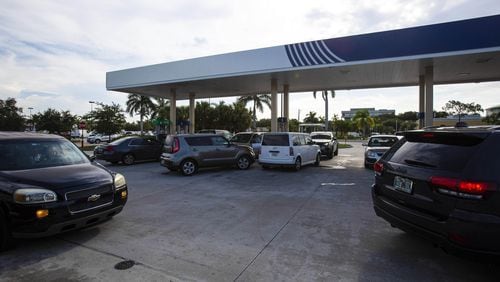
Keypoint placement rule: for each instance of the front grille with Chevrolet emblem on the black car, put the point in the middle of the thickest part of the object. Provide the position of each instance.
(87, 199)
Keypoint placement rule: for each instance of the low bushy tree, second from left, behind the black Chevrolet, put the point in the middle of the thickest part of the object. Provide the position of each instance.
(54, 121)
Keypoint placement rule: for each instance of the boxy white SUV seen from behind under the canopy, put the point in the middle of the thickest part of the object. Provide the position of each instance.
(288, 149)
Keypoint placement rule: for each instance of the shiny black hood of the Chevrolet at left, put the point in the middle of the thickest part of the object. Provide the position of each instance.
(58, 177)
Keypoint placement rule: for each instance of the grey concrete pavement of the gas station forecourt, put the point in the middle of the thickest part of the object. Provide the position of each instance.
(223, 224)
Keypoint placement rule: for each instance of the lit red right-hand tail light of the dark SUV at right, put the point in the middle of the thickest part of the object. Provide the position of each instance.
(461, 188)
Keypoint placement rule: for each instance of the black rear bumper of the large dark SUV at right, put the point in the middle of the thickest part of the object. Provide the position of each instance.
(462, 231)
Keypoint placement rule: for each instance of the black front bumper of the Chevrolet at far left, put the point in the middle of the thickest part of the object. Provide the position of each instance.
(24, 223)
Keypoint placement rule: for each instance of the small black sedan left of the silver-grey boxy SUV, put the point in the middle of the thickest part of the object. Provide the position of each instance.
(129, 149)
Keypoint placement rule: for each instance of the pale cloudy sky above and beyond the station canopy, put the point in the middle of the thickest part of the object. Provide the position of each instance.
(55, 54)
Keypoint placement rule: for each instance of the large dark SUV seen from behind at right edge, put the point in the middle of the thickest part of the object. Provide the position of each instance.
(443, 184)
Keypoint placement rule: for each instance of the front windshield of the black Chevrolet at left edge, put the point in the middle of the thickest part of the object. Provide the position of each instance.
(19, 155)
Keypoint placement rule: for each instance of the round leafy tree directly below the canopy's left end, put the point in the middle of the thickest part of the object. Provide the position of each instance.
(109, 119)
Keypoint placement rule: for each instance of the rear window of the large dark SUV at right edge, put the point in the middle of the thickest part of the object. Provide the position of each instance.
(441, 151)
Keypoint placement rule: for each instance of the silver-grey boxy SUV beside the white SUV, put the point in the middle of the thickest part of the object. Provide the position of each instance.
(188, 152)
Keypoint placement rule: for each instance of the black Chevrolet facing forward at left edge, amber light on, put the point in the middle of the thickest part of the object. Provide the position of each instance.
(49, 186)
